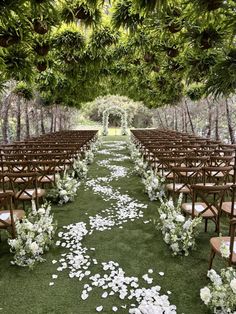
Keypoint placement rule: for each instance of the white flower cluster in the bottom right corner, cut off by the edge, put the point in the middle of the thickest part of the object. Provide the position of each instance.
(220, 294)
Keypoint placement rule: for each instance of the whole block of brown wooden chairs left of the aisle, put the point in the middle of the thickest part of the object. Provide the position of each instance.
(26, 168)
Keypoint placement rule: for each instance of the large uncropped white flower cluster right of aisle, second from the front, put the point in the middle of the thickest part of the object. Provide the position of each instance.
(178, 232)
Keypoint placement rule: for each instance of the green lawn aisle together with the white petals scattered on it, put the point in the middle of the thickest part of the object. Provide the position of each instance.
(108, 256)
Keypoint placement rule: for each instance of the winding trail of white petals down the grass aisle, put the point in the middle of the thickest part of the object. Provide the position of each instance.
(80, 259)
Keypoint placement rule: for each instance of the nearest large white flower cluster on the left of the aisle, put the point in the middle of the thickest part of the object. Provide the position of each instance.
(34, 236)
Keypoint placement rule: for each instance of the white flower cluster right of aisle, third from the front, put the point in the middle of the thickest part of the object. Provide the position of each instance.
(154, 185)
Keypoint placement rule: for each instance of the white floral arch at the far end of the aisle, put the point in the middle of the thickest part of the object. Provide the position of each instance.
(116, 111)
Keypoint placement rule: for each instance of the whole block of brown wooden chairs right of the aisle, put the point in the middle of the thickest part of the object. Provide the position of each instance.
(201, 169)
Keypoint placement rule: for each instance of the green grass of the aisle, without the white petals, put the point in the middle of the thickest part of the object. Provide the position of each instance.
(137, 247)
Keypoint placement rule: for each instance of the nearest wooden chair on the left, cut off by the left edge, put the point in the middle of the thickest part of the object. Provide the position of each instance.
(8, 214)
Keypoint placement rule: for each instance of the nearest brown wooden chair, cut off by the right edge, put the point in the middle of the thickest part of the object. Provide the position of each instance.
(229, 241)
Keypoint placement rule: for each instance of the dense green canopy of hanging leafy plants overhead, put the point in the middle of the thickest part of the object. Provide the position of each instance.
(155, 51)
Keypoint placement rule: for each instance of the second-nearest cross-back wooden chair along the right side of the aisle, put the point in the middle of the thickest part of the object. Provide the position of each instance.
(207, 203)
